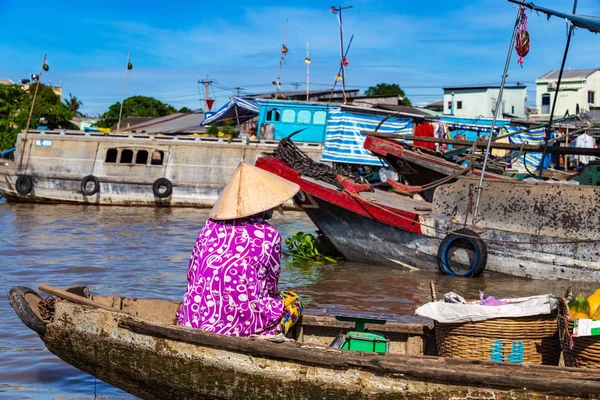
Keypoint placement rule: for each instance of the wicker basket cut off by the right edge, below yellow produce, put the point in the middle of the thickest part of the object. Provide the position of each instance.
(582, 352)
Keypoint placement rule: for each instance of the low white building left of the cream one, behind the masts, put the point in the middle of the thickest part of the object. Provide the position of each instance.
(479, 101)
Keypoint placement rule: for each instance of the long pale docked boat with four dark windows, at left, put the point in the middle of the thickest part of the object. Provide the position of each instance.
(126, 169)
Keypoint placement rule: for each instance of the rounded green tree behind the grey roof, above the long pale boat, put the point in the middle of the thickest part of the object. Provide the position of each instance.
(136, 106)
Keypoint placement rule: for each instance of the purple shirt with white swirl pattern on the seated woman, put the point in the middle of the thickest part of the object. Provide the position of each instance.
(232, 279)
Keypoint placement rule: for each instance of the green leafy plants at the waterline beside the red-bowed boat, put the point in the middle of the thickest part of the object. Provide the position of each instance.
(306, 247)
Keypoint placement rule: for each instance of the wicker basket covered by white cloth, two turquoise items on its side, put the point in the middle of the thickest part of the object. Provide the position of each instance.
(528, 340)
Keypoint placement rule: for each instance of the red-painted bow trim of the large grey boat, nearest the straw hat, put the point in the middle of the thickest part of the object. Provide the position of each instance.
(404, 220)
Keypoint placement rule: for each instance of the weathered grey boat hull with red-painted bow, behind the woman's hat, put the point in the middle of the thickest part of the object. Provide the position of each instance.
(536, 230)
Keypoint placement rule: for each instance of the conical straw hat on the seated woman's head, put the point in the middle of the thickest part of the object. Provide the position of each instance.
(250, 191)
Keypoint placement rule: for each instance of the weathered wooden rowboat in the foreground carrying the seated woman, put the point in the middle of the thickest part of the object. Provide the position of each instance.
(135, 345)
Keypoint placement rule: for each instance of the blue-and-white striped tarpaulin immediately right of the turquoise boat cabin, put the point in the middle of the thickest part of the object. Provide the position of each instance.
(345, 143)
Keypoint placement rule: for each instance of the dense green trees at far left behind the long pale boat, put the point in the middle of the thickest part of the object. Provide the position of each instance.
(15, 104)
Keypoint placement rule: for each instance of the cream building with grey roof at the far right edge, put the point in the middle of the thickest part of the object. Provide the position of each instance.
(579, 91)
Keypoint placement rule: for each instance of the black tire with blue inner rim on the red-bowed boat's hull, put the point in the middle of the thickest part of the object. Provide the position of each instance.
(474, 242)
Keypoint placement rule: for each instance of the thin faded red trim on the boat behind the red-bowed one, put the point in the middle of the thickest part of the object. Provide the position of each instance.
(383, 147)
